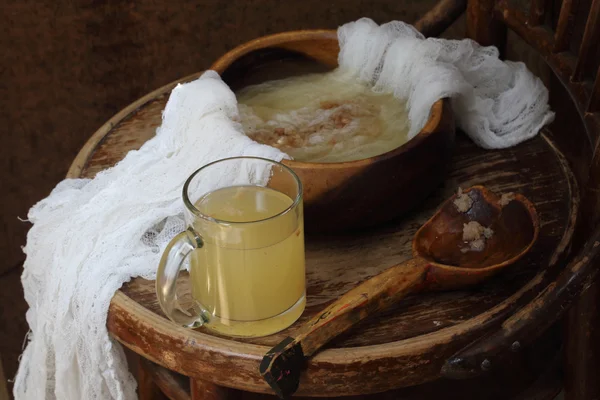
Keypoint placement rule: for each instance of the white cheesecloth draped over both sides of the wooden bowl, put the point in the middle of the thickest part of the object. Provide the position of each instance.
(91, 236)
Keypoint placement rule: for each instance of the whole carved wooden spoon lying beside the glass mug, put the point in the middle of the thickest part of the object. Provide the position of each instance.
(441, 261)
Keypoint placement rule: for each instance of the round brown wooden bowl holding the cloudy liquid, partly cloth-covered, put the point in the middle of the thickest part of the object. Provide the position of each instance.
(346, 195)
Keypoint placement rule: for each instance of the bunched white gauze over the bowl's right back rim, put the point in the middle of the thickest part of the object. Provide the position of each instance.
(497, 103)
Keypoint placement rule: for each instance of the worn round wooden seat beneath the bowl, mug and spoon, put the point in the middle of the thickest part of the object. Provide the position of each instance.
(412, 339)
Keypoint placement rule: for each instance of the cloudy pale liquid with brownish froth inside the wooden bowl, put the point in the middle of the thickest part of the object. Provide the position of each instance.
(324, 117)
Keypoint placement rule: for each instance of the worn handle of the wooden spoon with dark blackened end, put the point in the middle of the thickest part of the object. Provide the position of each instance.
(281, 365)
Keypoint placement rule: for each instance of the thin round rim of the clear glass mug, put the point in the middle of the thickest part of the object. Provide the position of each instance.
(190, 205)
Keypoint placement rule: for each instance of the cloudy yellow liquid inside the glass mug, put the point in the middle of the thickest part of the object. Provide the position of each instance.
(249, 277)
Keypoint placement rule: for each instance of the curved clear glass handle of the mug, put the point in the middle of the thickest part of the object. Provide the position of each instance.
(171, 262)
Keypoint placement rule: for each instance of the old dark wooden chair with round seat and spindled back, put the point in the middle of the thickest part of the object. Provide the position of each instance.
(428, 336)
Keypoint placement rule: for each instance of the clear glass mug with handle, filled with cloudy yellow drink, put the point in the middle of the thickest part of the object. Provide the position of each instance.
(245, 247)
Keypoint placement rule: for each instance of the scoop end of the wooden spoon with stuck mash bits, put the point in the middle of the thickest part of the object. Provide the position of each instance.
(512, 219)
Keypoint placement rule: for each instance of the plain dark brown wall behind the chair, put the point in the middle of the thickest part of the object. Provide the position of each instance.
(66, 66)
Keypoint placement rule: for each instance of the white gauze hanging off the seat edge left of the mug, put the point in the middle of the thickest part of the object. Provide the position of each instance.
(89, 236)
